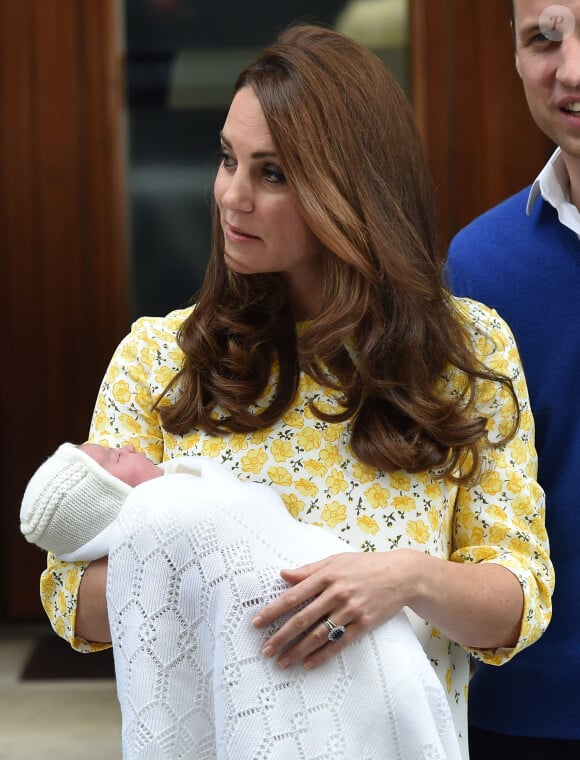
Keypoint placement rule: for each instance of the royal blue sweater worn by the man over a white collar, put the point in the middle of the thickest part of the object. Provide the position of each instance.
(528, 269)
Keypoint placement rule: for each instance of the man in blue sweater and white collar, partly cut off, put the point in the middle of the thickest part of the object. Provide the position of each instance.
(523, 258)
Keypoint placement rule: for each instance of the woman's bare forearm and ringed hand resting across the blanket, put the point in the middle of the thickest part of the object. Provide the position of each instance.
(477, 605)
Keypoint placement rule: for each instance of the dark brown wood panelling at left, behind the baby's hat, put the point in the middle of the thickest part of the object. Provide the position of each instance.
(63, 282)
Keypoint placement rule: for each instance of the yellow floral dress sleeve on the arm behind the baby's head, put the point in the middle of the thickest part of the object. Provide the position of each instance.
(144, 362)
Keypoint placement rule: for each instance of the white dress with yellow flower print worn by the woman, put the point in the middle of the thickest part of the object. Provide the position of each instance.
(310, 463)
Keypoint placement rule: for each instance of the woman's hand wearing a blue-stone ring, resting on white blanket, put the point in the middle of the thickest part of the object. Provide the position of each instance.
(356, 590)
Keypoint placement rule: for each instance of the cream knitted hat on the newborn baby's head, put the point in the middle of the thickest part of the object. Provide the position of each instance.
(69, 500)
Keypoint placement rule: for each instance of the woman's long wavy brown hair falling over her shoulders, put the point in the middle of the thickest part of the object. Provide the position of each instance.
(351, 153)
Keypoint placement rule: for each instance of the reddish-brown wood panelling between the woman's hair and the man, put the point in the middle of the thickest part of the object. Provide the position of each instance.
(481, 141)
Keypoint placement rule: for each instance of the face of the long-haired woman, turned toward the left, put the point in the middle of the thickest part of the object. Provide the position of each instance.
(261, 221)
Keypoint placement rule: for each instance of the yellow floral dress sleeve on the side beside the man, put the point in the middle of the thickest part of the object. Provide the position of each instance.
(501, 519)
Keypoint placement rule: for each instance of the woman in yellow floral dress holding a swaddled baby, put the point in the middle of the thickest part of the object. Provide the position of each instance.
(325, 357)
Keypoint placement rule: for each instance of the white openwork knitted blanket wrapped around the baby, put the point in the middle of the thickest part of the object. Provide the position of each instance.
(193, 561)
